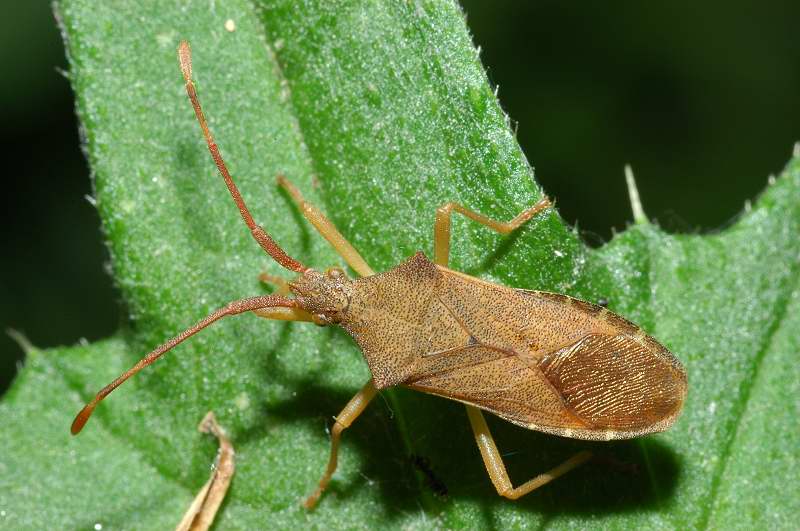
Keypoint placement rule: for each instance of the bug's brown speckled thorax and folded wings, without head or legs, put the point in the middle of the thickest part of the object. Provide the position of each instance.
(541, 360)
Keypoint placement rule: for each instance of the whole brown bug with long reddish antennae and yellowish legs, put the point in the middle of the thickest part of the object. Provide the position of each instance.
(543, 361)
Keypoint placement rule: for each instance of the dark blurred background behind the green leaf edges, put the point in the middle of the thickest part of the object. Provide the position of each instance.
(702, 99)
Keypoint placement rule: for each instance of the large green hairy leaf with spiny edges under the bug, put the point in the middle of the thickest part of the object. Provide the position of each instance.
(379, 113)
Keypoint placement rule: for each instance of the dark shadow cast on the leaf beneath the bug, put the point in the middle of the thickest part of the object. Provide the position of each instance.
(623, 476)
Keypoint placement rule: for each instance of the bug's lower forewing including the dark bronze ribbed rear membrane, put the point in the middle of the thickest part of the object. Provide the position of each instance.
(599, 387)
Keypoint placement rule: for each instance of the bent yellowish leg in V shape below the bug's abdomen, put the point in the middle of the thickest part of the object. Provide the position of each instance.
(497, 469)
